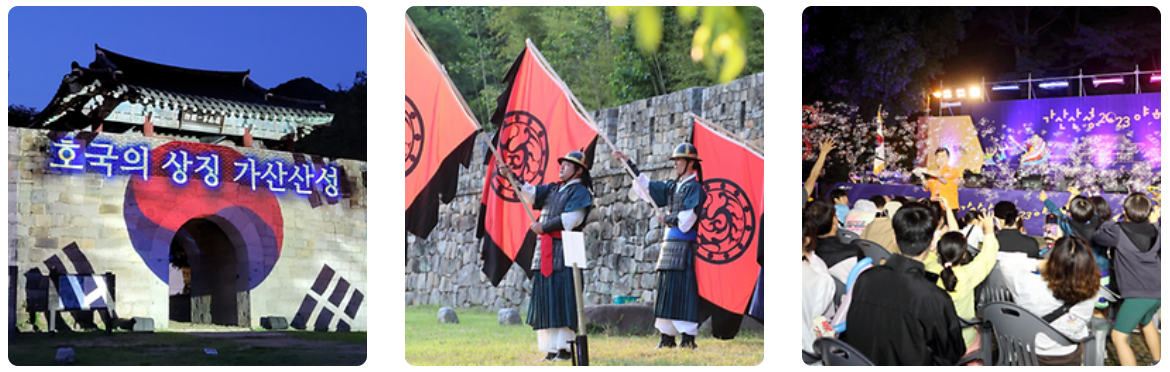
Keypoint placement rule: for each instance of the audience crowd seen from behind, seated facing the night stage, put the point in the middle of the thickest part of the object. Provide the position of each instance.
(919, 307)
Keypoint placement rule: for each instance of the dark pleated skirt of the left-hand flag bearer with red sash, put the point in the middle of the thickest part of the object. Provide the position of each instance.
(554, 302)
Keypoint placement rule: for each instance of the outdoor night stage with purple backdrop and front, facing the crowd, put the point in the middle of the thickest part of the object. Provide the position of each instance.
(1093, 142)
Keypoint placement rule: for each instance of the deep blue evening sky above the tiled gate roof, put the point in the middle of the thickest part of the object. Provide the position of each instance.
(277, 44)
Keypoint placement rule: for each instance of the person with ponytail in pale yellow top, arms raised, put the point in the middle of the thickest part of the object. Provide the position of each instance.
(960, 273)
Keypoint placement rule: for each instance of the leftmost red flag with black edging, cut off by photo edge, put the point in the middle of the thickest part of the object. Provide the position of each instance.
(441, 134)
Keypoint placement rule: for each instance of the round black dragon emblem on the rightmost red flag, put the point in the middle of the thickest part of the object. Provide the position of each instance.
(728, 225)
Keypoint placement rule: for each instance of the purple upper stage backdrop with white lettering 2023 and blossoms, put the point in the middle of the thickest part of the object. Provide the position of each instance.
(1106, 133)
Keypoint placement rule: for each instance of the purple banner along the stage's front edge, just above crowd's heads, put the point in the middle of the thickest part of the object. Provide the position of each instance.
(983, 199)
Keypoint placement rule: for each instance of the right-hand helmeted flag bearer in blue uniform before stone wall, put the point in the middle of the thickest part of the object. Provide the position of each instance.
(677, 308)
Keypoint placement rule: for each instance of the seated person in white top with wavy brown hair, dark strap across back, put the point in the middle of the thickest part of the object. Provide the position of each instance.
(1061, 290)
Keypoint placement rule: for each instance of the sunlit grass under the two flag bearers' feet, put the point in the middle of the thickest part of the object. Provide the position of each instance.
(479, 340)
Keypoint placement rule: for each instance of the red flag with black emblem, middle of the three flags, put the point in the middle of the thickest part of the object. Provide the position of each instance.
(540, 121)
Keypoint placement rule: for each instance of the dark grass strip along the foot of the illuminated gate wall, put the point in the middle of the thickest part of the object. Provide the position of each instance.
(188, 349)
